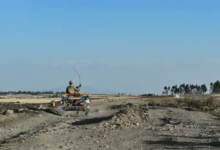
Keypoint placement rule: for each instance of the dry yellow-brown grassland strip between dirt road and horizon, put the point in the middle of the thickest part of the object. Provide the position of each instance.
(206, 103)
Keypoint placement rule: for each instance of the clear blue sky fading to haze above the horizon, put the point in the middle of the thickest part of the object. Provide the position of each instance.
(132, 46)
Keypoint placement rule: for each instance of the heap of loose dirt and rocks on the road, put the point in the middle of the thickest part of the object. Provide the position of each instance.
(129, 115)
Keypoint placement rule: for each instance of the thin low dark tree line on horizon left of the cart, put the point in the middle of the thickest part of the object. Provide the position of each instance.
(29, 92)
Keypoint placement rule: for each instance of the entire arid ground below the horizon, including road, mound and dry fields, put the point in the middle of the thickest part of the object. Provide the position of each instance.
(114, 123)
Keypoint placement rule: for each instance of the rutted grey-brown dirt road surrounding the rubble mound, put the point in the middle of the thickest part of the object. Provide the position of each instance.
(167, 128)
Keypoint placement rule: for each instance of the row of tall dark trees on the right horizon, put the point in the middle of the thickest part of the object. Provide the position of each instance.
(186, 89)
